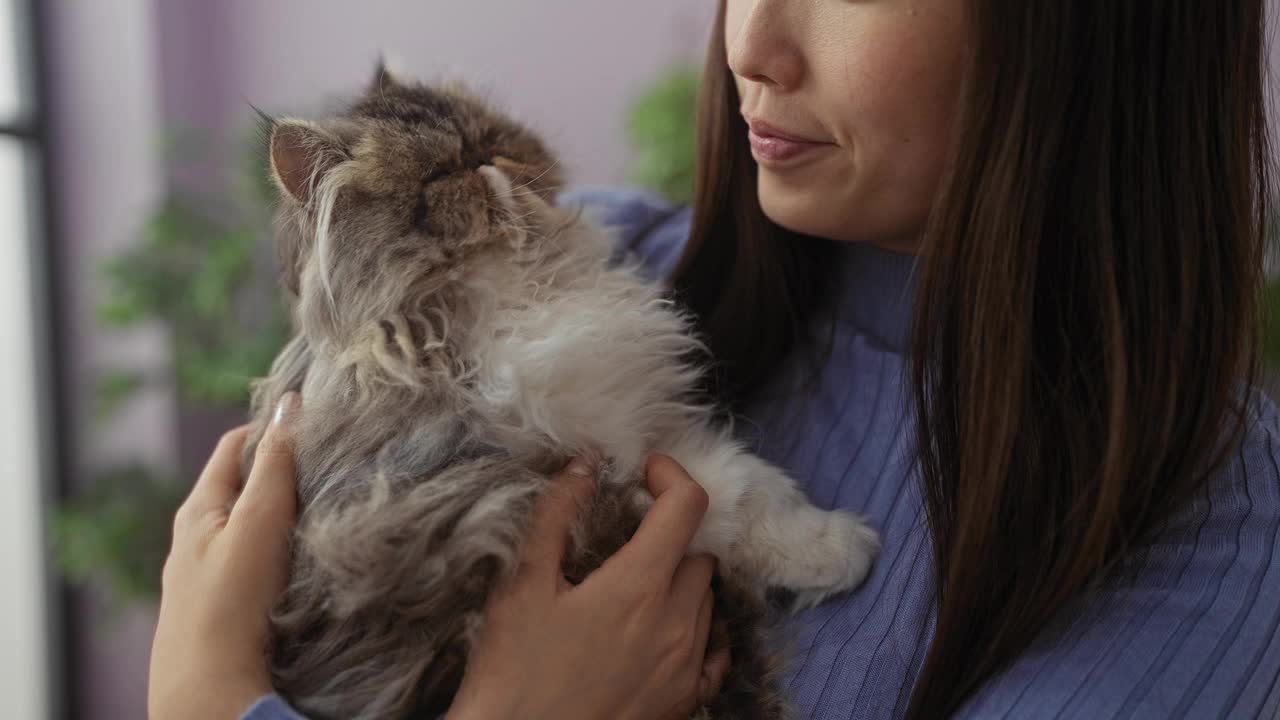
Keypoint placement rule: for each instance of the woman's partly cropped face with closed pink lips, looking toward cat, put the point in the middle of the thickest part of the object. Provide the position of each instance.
(851, 106)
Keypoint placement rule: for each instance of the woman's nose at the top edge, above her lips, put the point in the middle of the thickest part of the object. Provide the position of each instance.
(762, 47)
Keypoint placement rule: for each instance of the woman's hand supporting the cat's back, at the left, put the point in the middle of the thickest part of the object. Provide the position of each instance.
(226, 571)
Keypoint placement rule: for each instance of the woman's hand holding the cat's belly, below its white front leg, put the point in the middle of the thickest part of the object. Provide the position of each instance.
(629, 642)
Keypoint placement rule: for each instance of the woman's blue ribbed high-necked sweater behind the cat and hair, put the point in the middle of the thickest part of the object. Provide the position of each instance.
(1192, 635)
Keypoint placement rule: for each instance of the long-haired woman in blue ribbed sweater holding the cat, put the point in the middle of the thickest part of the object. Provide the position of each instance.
(985, 271)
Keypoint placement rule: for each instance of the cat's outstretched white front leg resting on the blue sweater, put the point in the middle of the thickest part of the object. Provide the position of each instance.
(762, 526)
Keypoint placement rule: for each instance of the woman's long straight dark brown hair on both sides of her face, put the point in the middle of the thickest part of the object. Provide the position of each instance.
(1086, 321)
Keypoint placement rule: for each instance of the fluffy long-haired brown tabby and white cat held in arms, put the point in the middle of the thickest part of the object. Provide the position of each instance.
(459, 339)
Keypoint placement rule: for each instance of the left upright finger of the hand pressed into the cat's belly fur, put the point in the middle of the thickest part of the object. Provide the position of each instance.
(554, 521)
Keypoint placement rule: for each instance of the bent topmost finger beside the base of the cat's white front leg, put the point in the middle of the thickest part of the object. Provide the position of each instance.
(669, 527)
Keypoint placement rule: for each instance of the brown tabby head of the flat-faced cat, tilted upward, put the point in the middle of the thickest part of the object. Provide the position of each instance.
(410, 183)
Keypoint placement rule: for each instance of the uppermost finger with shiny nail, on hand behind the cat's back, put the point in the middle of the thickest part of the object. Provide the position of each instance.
(269, 500)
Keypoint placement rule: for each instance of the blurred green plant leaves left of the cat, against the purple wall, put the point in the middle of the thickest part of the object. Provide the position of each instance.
(203, 271)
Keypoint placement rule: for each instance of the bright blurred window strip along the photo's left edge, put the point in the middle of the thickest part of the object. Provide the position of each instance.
(28, 614)
